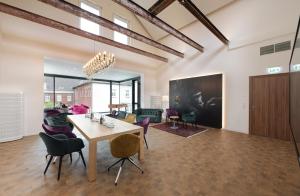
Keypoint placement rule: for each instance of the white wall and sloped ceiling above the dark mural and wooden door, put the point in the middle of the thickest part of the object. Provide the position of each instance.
(248, 25)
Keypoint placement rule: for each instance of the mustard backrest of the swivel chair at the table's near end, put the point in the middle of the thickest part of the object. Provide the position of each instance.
(125, 145)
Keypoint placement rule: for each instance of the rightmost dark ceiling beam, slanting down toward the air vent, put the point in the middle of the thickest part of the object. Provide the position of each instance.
(192, 8)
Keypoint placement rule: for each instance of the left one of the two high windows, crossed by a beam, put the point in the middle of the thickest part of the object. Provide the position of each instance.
(87, 25)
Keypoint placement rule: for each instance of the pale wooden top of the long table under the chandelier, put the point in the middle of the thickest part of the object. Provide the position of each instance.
(95, 131)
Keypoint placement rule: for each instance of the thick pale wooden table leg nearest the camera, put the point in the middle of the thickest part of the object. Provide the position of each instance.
(92, 166)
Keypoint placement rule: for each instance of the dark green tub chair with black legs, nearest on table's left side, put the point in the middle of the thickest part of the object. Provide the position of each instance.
(60, 145)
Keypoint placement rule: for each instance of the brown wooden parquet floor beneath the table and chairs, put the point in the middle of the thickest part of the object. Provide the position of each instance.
(210, 163)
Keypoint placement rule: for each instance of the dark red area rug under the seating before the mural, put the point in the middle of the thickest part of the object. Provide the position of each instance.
(184, 131)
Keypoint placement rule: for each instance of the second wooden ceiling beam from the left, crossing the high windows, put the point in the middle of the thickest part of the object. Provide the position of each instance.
(75, 10)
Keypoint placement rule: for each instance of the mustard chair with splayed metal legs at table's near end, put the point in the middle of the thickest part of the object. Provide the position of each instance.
(123, 147)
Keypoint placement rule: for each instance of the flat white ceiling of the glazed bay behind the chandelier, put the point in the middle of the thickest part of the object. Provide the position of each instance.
(65, 67)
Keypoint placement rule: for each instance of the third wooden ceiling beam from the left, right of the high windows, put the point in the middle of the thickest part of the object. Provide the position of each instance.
(136, 9)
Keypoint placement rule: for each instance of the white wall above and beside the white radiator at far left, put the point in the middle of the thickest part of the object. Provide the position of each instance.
(23, 72)
